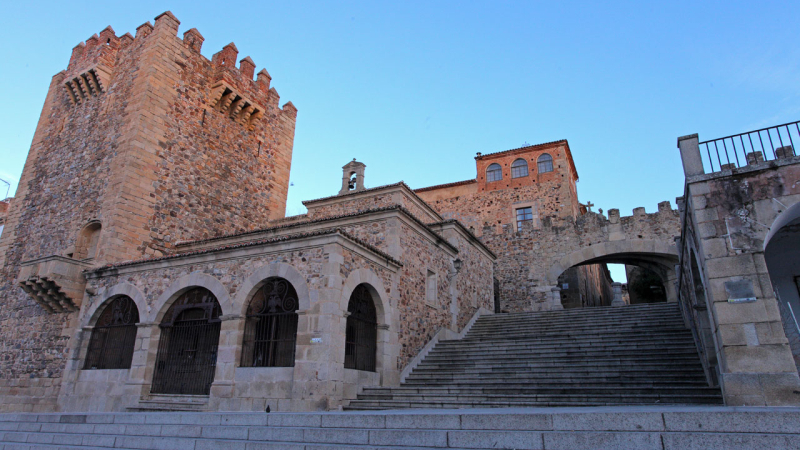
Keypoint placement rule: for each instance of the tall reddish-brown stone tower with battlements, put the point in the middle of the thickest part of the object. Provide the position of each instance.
(142, 142)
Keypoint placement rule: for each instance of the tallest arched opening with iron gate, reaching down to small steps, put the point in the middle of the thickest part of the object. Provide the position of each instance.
(187, 349)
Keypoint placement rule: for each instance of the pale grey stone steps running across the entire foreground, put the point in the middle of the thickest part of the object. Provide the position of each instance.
(617, 428)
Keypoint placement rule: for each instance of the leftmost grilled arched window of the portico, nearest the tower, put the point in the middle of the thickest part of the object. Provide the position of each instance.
(113, 336)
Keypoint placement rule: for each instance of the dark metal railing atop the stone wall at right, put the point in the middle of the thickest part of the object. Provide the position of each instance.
(752, 147)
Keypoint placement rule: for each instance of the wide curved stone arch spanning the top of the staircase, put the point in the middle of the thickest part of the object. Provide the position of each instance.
(648, 250)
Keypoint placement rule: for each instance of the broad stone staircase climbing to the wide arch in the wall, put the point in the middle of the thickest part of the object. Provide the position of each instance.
(629, 355)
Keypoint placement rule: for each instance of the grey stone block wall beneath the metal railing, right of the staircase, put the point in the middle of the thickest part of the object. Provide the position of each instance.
(724, 267)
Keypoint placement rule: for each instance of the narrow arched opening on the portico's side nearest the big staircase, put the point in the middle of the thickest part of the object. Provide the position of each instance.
(361, 337)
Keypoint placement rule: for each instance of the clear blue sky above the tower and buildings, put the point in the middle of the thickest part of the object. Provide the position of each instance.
(415, 89)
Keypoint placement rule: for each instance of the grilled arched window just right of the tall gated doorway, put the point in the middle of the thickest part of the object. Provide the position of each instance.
(270, 330)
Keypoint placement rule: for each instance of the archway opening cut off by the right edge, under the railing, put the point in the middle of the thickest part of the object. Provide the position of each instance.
(782, 254)
